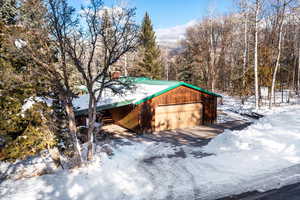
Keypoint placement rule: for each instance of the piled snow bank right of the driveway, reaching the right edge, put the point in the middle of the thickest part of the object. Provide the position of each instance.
(271, 143)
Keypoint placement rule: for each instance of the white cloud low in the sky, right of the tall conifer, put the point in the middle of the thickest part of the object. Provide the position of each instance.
(171, 36)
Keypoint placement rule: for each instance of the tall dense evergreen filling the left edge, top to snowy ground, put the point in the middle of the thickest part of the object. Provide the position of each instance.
(22, 132)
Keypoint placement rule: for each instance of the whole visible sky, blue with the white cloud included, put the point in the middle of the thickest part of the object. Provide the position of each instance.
(170, 18)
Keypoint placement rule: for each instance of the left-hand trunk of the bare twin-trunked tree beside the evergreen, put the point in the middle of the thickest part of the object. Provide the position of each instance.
(73, 132)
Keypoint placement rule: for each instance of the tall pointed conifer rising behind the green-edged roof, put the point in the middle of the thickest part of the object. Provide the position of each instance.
(151, 65)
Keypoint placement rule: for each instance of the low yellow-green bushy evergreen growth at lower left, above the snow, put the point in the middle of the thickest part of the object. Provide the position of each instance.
(37, 134)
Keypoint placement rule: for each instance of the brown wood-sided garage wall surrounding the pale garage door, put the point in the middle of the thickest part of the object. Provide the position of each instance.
(141, 118)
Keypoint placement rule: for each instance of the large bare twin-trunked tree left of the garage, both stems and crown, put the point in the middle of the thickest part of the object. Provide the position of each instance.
(60, 46)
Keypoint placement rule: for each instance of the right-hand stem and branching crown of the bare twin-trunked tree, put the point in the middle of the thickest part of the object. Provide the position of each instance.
(109, 34)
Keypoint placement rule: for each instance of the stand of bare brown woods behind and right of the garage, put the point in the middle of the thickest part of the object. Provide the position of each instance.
(255, 46)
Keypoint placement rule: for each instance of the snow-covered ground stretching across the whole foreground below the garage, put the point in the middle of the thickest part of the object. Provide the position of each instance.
(264, 156)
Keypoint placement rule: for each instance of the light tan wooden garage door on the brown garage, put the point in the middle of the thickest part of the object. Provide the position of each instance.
(178, 116)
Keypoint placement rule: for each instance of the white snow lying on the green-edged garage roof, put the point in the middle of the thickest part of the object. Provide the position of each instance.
(109, 99)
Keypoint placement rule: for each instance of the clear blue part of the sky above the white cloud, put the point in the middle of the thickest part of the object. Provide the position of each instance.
(169, 13)
